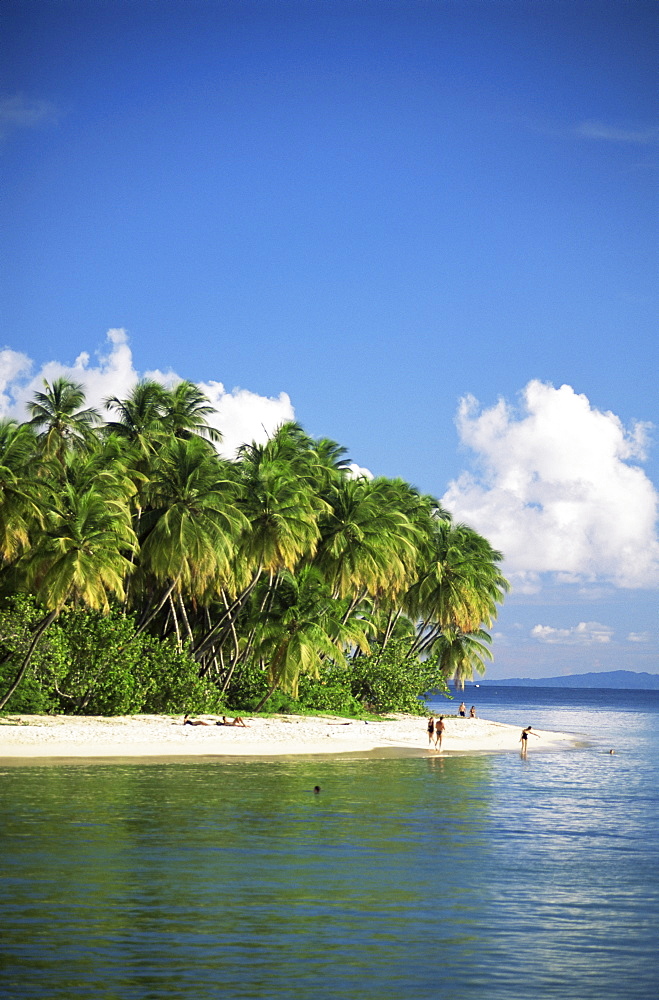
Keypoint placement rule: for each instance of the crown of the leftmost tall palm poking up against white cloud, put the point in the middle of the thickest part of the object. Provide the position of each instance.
(59, 416)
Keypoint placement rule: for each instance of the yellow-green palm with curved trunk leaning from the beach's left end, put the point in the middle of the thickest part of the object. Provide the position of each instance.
(81, 558)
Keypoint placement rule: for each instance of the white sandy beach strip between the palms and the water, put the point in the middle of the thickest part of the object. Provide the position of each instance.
(25, 736)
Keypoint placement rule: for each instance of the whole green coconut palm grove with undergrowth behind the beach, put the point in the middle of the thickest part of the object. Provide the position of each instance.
(141, 571)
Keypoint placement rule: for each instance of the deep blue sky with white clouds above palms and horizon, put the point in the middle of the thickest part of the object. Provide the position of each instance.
(364, 214)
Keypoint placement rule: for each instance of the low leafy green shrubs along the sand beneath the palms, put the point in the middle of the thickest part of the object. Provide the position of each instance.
(96, 664)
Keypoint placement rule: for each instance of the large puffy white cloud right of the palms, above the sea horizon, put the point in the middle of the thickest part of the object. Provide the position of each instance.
(557, 489)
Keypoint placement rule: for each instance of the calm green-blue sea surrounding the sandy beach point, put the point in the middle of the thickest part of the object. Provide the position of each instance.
(472, 877)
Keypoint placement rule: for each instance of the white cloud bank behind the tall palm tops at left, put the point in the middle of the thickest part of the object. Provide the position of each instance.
(242, 416)
